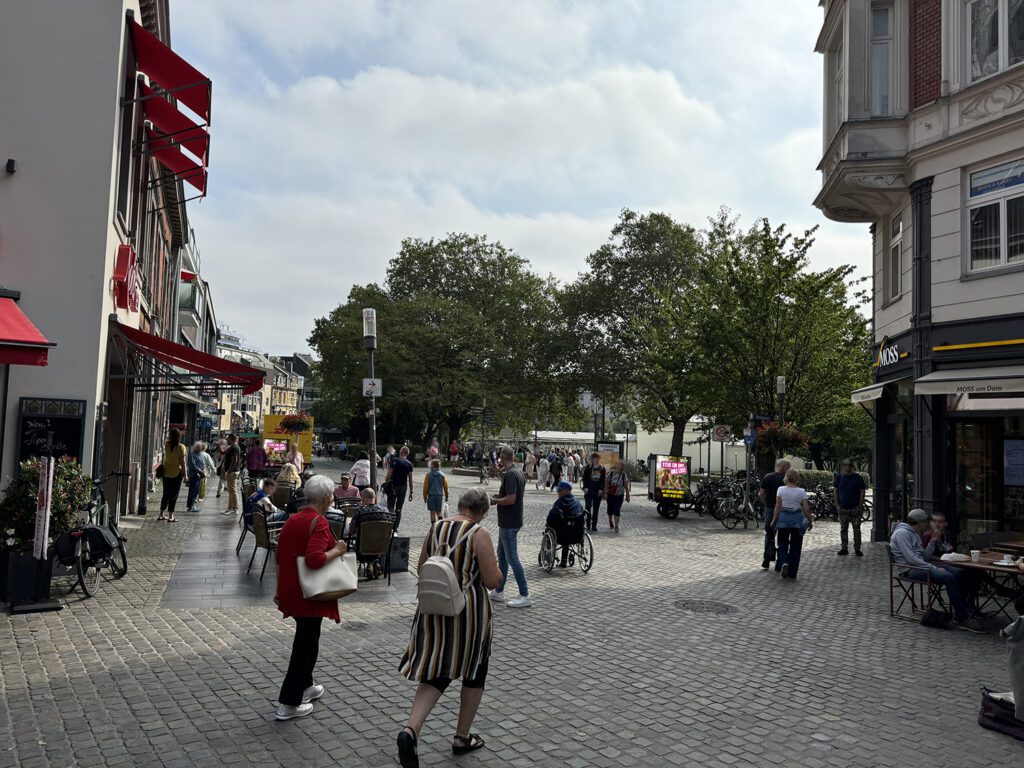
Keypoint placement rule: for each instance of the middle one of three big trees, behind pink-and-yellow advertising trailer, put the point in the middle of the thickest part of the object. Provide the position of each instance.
(637, 313)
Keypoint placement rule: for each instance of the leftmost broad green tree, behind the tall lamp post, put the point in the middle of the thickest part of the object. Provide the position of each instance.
(460, 320)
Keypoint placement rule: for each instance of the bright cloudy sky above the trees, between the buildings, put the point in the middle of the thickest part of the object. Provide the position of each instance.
(343, 126)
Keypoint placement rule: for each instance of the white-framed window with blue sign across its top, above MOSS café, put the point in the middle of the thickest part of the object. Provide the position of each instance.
(996, 212)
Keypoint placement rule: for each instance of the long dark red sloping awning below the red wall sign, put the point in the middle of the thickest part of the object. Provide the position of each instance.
(160, 365)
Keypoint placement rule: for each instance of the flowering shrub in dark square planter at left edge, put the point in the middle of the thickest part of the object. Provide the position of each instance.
(20, 573)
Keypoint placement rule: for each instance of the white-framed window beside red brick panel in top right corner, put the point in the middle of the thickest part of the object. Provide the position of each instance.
(995, 35)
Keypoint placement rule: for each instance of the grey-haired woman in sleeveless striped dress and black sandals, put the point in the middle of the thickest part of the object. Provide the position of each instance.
(443, 649)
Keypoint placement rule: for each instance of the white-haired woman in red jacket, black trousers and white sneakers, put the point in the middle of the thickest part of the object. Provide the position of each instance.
(306, 535)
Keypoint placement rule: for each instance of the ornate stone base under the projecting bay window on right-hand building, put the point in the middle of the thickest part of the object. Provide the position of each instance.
(864, 172)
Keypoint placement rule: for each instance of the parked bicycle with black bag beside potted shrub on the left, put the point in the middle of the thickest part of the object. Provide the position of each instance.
(95, 544)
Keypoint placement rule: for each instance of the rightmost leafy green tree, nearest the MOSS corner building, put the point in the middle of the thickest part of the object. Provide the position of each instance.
(774, 316)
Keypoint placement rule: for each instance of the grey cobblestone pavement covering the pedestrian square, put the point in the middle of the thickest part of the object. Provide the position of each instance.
(606, 670)
